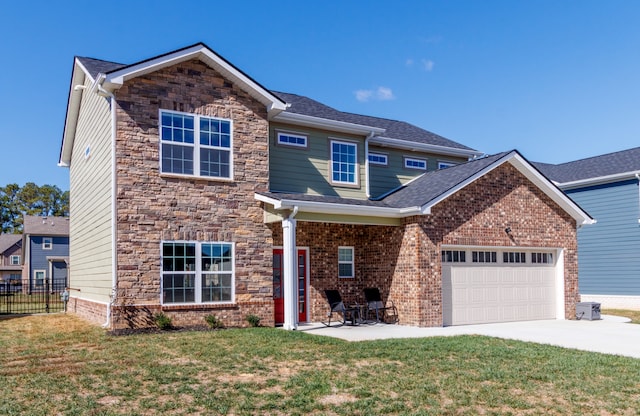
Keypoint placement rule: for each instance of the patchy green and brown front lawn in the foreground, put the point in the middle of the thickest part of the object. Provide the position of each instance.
(58, 364)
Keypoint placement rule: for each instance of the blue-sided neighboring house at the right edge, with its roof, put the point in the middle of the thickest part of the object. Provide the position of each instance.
(609, 251)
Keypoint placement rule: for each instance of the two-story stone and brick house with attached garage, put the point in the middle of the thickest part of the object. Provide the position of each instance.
(197, 191)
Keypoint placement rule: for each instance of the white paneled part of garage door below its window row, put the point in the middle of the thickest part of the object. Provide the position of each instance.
(497, 293)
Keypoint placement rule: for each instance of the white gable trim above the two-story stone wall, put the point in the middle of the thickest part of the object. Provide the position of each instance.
(114, 80)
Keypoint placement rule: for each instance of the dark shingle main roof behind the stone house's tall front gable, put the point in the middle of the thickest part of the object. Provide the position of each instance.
(309, 107)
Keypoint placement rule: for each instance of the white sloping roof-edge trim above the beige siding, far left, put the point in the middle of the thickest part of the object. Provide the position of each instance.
(78, 77)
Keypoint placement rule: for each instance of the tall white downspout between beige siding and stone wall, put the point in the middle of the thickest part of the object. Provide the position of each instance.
(114, 221)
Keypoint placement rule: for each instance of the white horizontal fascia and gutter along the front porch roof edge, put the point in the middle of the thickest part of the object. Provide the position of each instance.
(340, 209)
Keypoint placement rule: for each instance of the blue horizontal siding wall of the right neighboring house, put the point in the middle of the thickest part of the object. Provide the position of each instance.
(609, 251)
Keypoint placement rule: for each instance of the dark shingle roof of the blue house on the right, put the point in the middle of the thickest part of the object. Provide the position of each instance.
(625, 161)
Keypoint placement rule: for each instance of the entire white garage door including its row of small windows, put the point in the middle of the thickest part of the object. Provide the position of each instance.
(485, 285)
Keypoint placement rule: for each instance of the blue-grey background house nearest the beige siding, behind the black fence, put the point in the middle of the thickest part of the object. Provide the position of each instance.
(45, 249)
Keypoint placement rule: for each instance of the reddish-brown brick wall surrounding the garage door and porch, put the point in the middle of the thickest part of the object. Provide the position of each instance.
(404, 262)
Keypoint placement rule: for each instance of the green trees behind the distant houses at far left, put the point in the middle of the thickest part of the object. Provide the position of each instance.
(31, 199)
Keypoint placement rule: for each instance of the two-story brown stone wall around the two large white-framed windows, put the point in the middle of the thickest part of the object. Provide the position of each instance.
(152, 208)
